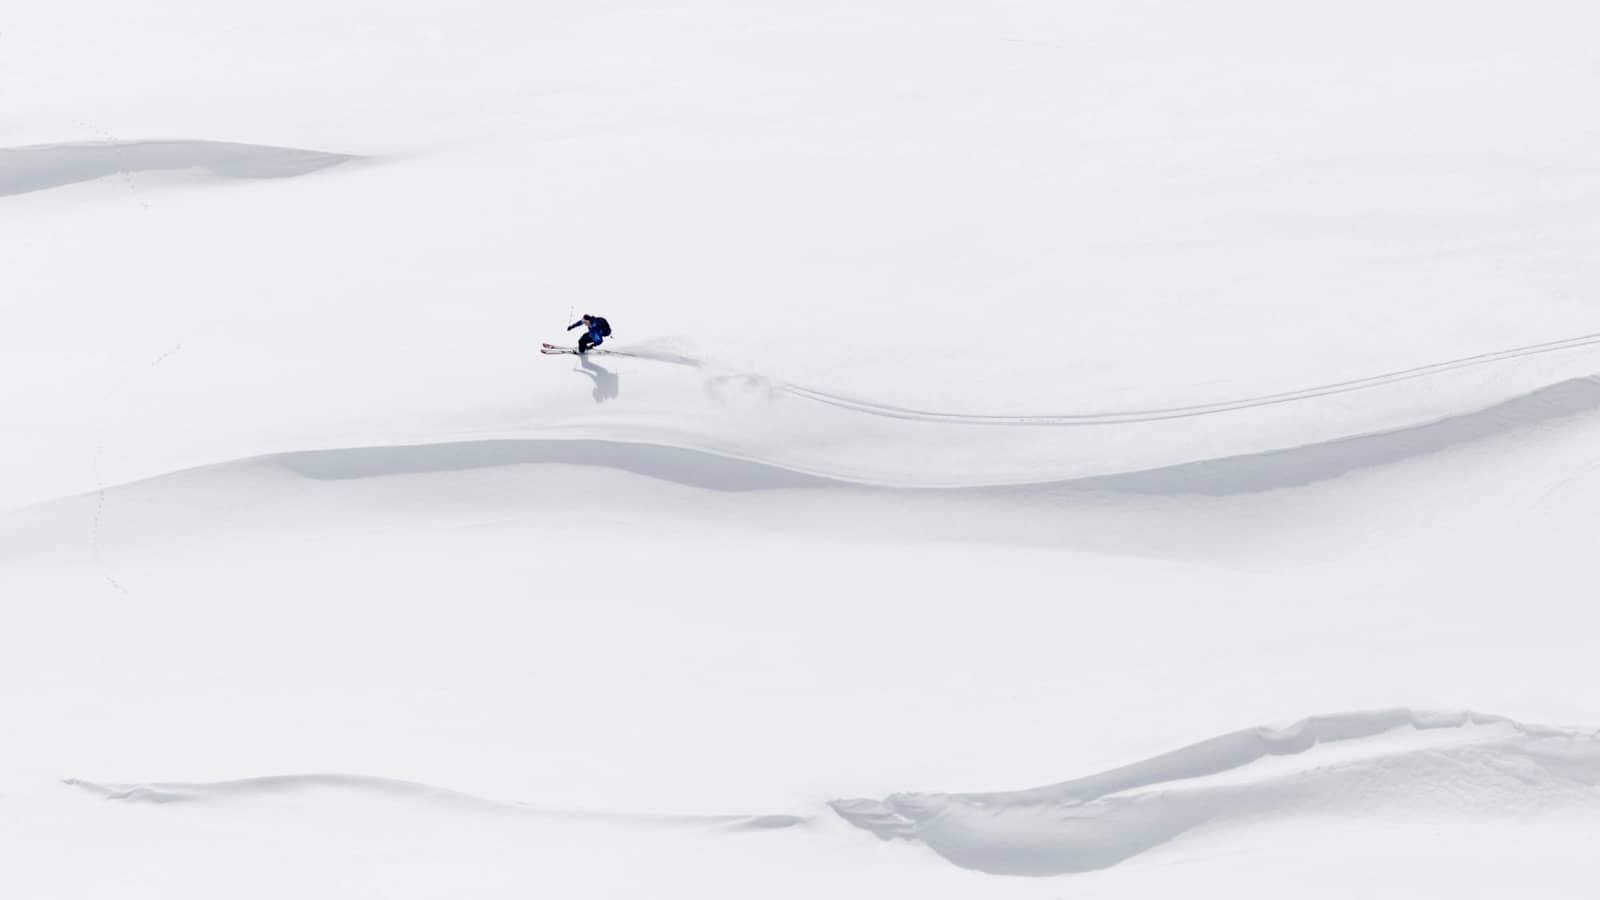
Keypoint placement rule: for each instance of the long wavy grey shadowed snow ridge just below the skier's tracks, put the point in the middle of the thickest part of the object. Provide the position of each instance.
(705, 464)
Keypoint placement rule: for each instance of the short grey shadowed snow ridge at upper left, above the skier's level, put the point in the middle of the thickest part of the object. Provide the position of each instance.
(25, 171)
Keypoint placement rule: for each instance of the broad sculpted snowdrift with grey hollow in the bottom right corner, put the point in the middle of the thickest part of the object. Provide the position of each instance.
(1398, 763)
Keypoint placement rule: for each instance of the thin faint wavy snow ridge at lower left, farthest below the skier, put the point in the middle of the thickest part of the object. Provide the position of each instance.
(410, 795)
